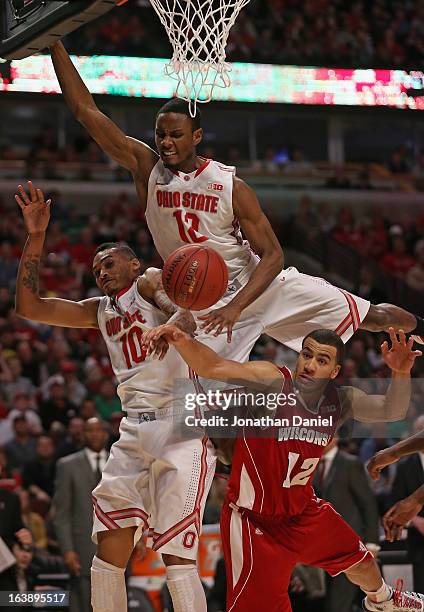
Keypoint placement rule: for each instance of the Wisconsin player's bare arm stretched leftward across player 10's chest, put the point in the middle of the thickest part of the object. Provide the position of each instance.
(208, 364)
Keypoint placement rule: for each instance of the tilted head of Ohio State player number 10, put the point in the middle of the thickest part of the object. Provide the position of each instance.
(113, 271)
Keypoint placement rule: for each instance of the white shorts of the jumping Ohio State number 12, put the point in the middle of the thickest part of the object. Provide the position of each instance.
(293, 305)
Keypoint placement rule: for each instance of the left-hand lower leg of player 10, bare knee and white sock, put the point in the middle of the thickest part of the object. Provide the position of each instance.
(108, 590)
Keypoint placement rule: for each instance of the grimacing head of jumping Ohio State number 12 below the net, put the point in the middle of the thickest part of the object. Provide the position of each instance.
(175, 140)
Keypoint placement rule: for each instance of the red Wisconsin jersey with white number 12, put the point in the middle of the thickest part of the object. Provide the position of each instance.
(272, 476)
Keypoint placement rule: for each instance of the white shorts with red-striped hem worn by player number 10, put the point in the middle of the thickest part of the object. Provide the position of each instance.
(157, 482)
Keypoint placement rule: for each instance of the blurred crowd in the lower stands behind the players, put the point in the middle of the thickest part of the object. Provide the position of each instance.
(54, 381)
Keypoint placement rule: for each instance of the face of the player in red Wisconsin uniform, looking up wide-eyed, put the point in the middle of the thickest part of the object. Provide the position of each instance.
(316, 362)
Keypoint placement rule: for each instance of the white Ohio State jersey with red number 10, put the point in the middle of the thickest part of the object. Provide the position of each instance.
(144, 382)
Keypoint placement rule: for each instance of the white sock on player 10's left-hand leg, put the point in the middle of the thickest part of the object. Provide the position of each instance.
(108, 590)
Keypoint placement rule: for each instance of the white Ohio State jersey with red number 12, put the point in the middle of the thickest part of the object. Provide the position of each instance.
(196, 208)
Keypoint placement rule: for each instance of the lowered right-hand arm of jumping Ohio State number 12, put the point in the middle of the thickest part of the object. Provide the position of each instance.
(258, 231)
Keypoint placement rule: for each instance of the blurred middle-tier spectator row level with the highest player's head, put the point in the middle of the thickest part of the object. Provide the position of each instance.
(81, 159)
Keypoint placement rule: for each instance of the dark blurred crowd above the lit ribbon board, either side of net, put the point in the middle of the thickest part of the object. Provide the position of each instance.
(383, 34)
